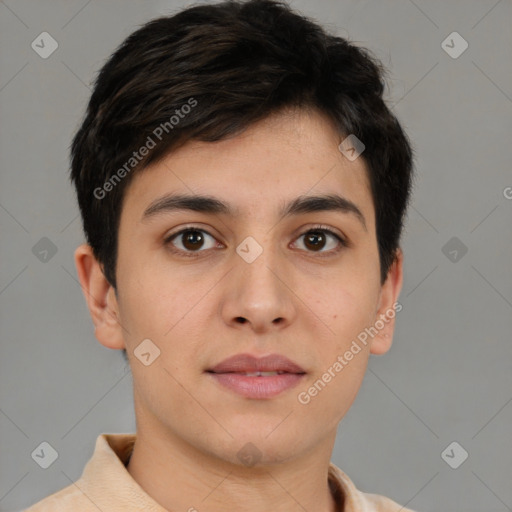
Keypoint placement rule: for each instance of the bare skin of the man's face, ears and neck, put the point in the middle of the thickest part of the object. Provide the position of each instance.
(189, 428)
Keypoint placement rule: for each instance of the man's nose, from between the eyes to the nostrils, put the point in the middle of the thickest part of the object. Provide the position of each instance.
(259, 296)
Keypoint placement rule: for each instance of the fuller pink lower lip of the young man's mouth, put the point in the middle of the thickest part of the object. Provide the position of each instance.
(258, 387)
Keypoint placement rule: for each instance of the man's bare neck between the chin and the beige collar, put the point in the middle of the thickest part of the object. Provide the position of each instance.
(179, 477)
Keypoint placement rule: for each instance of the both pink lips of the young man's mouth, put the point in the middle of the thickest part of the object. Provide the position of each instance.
(230, 374)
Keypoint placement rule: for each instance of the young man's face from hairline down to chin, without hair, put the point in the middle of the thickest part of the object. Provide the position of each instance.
(250, 278)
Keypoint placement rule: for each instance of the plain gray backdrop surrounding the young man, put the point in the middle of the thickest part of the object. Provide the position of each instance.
(448, 376)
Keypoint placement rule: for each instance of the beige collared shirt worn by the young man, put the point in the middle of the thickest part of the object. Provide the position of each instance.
(107, 485)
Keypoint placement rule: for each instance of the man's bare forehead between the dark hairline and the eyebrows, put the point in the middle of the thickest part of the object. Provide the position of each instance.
(256, 172)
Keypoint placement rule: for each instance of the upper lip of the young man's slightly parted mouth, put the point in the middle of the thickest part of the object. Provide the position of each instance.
(250, 363)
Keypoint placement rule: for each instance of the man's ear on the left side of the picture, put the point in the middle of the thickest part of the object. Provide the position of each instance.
(100, 297)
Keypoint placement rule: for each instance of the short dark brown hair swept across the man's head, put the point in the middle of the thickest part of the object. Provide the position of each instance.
(207, 73)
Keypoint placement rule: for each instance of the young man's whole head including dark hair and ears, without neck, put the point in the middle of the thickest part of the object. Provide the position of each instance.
(247, 104)
